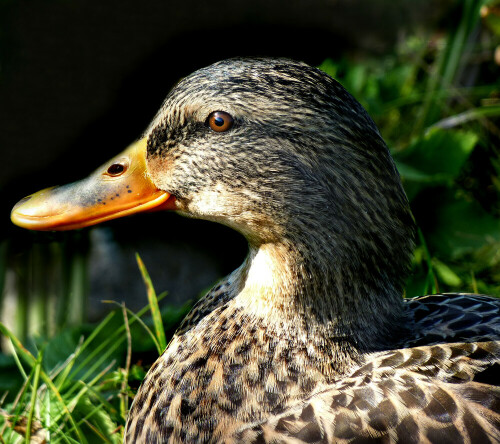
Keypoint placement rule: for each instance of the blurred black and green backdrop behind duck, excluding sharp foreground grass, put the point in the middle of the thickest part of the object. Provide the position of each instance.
(79, 81)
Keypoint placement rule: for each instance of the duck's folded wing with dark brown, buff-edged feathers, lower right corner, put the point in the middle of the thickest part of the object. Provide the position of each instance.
(420, 395)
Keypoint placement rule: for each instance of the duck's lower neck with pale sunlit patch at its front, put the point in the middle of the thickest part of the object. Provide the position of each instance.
(284, 285)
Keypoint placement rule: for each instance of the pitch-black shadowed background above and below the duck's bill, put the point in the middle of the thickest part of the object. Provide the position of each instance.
(81, 80)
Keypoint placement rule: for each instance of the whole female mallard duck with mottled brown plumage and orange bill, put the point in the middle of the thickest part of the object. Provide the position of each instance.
(310, 339)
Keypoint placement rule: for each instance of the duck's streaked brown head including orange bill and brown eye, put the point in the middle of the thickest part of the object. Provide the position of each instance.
(274, 148)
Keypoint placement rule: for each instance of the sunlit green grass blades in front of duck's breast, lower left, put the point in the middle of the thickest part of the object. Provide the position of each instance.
(76, 386)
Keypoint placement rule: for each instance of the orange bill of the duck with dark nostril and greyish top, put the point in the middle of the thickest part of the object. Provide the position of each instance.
(119, 188)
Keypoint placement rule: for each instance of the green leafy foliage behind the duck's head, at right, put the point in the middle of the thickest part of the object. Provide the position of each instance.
(440, 120)
